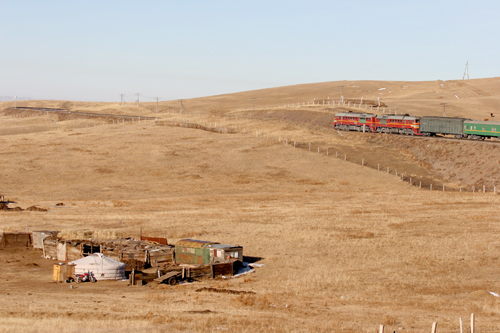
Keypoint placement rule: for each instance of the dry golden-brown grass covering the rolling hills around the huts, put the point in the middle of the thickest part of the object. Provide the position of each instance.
(346, 248)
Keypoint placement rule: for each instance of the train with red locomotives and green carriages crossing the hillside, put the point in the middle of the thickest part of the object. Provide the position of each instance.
(460, 128)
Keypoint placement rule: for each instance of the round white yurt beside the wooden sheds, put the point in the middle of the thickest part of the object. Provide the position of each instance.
(104, 268)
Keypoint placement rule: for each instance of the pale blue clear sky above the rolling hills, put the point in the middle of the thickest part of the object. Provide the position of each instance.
(97, 50)
